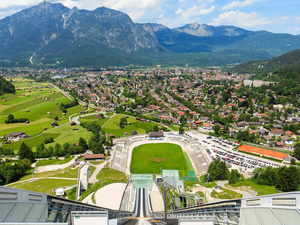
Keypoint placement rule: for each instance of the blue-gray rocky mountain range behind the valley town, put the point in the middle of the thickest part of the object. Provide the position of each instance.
(54, 35)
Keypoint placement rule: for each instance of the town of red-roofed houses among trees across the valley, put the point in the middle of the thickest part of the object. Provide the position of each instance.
(228, 105)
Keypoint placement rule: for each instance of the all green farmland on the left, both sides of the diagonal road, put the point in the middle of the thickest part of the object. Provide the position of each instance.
(40, 105)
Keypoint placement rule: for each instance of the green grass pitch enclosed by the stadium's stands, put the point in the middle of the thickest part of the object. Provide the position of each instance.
(151, 158)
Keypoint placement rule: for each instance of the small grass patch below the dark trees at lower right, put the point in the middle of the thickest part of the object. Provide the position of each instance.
(260, 189)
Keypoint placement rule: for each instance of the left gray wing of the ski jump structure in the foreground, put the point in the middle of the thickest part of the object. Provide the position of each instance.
(20, 206)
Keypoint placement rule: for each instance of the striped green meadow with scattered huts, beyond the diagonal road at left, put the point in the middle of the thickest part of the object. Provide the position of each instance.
(41, 111)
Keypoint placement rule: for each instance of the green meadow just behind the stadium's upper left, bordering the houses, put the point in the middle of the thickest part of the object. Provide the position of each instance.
(111, 127)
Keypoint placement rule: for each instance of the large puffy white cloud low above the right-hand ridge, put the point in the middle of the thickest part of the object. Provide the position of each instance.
(240, 19)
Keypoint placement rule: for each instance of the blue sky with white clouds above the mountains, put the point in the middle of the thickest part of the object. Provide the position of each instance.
(278, 16)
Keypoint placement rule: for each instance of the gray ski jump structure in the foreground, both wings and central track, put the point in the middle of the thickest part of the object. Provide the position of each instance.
(19, 206)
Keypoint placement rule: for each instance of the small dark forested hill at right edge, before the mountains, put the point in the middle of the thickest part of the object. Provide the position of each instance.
(286, 60)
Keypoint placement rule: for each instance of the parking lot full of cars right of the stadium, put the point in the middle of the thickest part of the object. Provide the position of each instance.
(215, 147)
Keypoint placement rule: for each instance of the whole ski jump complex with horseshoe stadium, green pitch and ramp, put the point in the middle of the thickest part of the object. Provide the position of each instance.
(169, 157)
